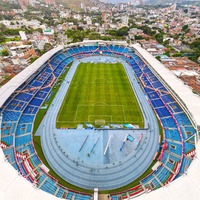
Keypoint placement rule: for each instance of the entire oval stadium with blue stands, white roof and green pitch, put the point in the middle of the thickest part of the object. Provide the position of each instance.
(108, 115)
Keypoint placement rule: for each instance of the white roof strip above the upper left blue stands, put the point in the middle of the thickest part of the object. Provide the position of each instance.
(7, 89)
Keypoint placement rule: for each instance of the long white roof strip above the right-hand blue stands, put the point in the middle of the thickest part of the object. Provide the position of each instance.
(191, 100)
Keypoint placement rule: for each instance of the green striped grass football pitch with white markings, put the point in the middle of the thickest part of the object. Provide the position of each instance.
(99, 93)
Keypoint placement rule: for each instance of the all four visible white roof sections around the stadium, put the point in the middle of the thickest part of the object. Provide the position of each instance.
(14, 186)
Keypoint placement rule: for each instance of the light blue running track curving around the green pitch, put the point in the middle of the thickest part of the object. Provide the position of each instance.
(108, 176)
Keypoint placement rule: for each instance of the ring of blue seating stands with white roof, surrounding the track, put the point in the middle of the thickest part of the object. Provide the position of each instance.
(22, 172)
